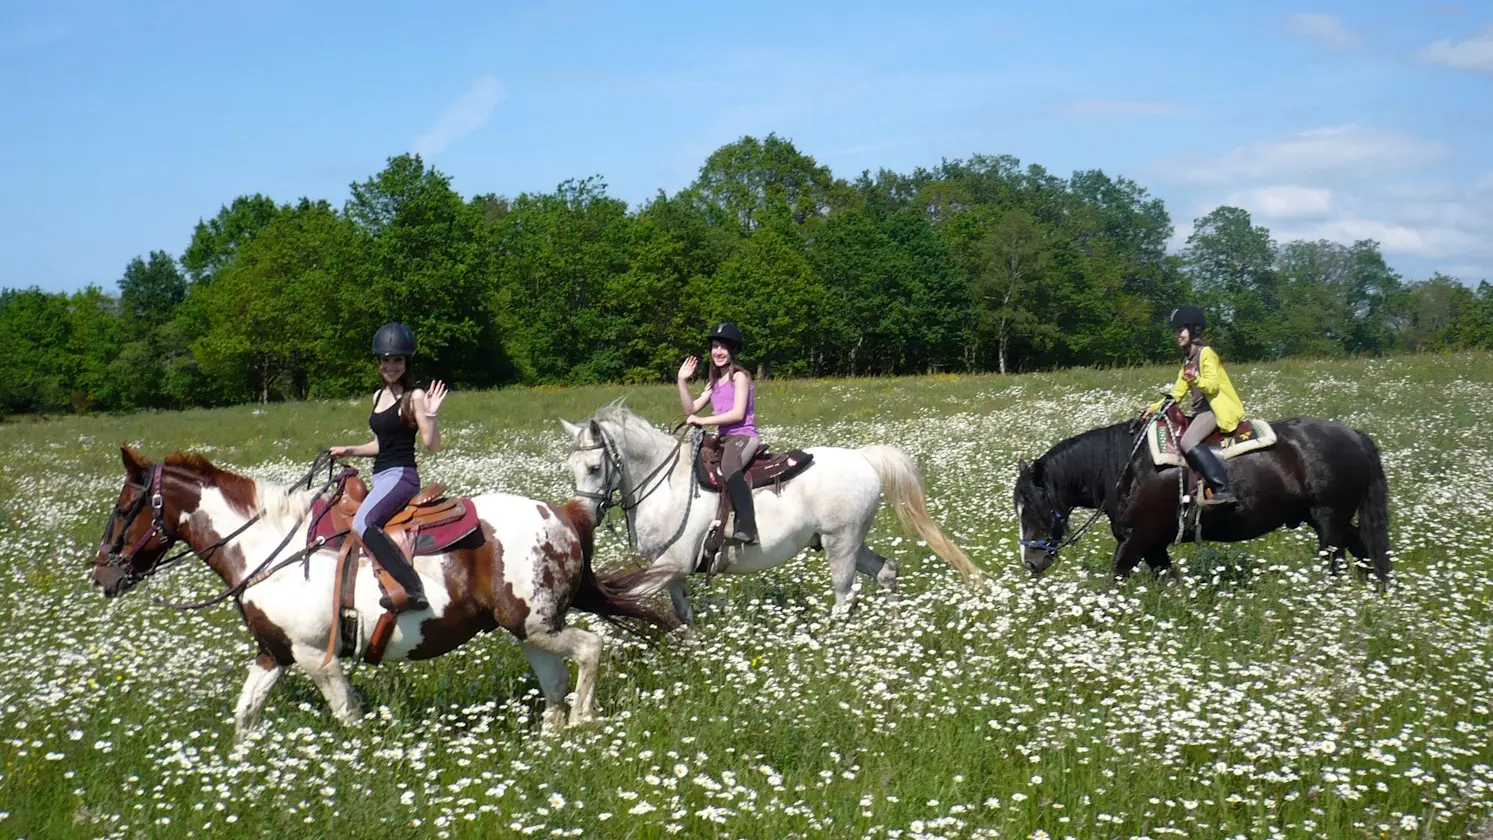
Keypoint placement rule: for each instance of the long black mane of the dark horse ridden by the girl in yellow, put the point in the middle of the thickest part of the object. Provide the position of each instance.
(1094, 460)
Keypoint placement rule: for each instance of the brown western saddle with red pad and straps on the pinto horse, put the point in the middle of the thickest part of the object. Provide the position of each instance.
(431, 523)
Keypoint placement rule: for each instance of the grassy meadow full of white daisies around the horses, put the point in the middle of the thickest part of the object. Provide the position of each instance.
(1256, 696)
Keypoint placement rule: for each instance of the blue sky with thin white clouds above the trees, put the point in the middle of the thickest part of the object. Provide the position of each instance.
(128, 123)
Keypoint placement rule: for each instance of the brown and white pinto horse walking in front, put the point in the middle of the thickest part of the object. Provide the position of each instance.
(534, 566)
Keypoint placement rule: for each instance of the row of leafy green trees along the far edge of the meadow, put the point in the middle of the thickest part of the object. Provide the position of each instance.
(970, 266)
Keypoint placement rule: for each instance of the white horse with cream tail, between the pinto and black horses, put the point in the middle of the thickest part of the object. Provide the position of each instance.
(619, 459)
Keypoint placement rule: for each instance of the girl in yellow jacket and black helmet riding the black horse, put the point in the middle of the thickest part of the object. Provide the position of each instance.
(1216, 407)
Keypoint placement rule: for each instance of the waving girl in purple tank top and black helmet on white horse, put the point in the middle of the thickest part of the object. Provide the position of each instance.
(734, 407)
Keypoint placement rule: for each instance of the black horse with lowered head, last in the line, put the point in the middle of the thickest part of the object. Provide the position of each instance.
(1318, 472)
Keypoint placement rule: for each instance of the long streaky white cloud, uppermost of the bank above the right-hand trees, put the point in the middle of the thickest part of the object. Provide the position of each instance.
(1343, 150)
